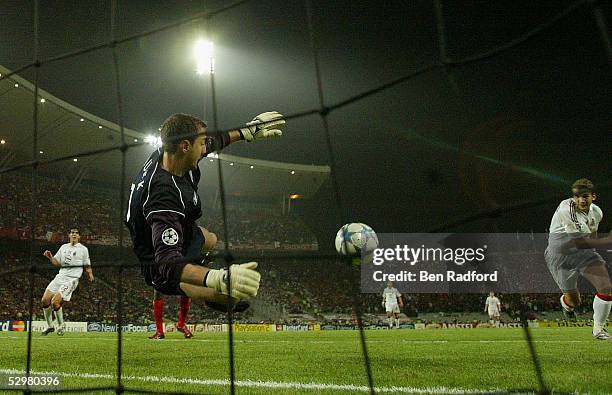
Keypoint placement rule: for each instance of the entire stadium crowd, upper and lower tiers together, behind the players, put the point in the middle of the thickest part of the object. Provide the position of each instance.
(316, 288)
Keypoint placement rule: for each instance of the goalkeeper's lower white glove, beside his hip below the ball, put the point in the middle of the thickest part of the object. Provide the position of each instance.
(244, 278)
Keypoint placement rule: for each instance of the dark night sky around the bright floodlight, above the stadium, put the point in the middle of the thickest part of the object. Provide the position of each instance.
(518, 126)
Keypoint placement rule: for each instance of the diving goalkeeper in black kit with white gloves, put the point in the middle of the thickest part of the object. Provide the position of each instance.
(164, 205)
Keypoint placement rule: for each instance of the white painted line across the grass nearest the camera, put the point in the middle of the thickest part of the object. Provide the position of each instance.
(269, 384)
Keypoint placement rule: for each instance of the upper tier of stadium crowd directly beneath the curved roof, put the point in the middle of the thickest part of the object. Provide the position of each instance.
(96, 212)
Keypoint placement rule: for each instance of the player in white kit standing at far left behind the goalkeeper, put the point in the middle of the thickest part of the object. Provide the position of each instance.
(71, 258)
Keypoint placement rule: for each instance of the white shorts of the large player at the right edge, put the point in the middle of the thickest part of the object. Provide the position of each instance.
(566, 269)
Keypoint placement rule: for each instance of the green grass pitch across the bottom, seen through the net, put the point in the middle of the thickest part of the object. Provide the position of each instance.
(403, 361)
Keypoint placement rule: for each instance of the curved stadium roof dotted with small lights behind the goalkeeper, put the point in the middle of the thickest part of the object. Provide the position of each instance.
(64, 131)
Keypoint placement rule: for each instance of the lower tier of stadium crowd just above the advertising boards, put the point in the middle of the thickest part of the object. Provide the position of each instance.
(315, 288)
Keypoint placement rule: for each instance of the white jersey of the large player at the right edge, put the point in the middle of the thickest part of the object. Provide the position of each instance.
(569, 223)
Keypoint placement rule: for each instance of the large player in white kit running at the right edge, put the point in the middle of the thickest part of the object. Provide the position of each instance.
(570, 253)
